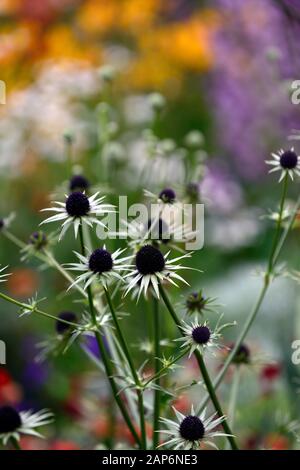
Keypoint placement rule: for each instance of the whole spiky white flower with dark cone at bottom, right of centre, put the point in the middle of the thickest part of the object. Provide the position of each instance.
(191, 432)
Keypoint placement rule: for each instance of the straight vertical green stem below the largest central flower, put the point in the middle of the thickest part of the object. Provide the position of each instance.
(157, 354)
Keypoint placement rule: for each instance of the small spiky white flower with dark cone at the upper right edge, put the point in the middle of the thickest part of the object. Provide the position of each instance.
(286, 161)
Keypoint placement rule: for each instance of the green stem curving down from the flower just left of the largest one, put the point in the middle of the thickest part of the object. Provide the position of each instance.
(131, 366)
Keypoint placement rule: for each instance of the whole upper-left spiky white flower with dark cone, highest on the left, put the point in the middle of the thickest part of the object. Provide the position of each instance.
(78, 209)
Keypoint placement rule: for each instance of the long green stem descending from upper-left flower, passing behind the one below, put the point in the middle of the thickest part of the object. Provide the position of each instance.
(105, 357)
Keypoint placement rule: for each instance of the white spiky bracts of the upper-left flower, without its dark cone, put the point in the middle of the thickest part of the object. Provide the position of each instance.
(96, 208)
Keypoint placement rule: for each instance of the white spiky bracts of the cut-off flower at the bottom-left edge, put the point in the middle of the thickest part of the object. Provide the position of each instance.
(29, 421)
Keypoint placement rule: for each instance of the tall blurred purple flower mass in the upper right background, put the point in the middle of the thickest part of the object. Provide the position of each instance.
(255, 54)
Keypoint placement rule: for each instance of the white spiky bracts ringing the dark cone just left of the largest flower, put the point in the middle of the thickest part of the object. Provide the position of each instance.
(88, 276)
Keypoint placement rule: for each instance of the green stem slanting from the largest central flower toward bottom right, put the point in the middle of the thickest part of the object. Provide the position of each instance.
(204, 372)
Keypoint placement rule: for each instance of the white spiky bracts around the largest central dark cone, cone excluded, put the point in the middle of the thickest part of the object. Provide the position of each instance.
(168, 274)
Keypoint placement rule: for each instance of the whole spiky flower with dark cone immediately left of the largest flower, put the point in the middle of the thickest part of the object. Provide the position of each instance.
(101, 265)
